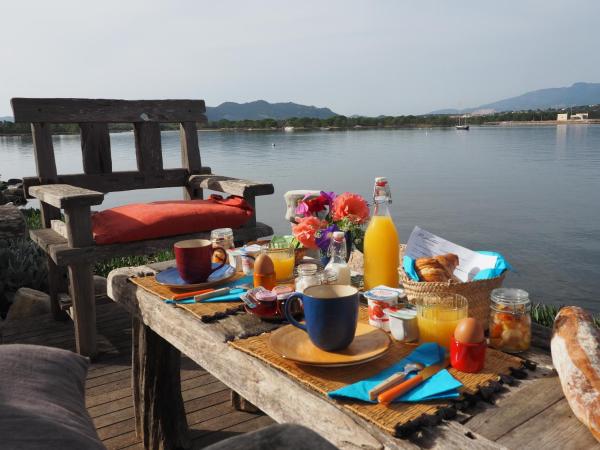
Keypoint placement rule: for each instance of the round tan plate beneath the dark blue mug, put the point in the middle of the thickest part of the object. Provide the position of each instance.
(294, 344)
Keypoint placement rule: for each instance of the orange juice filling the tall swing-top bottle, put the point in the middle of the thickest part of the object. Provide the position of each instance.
(381, 253)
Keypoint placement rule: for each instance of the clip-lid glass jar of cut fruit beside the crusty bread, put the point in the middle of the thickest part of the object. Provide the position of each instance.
(510, 320)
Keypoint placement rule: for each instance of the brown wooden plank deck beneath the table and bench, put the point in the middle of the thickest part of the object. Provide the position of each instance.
(108, 389)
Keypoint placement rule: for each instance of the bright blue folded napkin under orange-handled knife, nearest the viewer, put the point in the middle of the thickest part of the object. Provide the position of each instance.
(442, 385)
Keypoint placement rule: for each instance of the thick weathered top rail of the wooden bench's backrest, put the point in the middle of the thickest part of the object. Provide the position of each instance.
(76, 110)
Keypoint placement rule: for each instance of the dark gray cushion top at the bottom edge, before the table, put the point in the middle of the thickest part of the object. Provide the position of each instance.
(276, 437)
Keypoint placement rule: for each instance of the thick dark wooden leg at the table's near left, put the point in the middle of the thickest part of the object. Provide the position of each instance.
(159, 413)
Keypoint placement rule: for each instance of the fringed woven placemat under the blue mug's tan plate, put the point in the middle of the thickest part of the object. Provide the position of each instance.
(389, 418)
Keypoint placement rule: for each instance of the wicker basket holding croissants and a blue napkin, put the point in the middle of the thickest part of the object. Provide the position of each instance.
(477, 292)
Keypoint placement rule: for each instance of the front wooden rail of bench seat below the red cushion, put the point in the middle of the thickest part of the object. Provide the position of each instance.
(58, 249)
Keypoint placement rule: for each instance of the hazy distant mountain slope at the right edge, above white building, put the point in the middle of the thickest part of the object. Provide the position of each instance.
(578, 94)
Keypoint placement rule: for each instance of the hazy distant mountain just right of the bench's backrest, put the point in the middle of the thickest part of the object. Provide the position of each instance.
(261, 109)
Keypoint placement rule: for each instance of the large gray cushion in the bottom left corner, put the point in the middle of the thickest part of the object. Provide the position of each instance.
(42, 399)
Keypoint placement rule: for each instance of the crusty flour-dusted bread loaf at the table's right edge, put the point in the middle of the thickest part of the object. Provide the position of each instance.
(575, 349)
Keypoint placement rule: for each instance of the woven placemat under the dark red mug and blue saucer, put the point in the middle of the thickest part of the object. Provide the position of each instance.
(206, 312)
